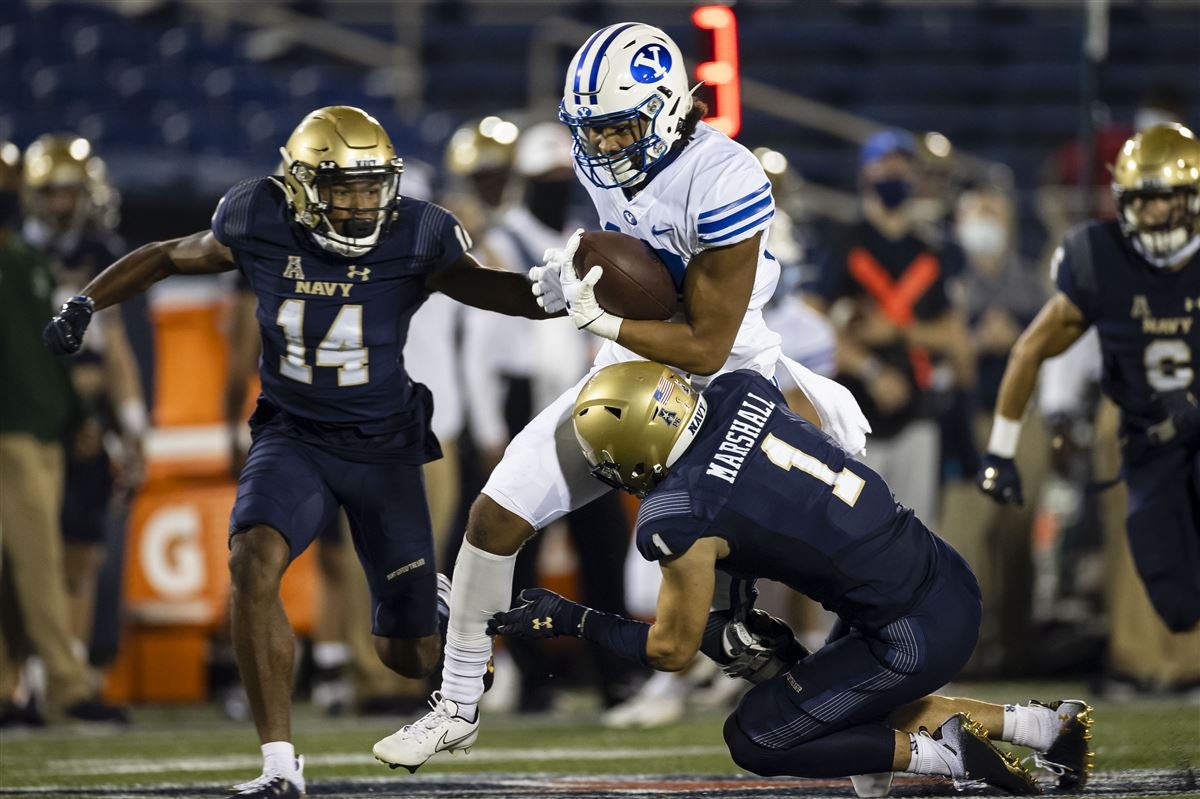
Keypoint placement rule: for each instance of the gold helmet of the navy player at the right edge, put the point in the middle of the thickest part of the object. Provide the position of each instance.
(1156, 182)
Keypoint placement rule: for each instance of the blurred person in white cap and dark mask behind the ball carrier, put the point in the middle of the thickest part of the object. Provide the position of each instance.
(536, 365)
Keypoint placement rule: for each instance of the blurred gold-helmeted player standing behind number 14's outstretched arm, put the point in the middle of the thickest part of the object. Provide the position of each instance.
(68, 209)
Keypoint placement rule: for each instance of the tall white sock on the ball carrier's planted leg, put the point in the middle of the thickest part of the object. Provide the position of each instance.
(482, 586)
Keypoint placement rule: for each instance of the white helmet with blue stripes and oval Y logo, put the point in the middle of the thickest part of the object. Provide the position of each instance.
(626, 73)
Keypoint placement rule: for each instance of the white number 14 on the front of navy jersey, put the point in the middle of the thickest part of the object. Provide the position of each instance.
(341, 349)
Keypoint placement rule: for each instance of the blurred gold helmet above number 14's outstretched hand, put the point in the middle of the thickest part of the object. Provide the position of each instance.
(64, 161)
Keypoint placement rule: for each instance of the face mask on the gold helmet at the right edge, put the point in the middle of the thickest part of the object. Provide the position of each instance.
(1163, 227)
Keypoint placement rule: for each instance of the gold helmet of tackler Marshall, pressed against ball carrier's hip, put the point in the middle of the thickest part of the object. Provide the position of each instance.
(634, 420)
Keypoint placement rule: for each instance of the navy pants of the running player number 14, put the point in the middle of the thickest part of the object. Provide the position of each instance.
(297, 489)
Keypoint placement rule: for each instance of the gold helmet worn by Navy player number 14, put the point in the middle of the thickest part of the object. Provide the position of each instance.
(333, 151)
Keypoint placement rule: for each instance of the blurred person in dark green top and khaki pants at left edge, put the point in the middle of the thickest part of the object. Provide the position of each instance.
(38, 408)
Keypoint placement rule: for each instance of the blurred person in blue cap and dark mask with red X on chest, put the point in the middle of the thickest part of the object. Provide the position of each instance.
(885, 289)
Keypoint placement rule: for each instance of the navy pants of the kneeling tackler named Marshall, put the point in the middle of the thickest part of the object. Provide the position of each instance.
(827, 716)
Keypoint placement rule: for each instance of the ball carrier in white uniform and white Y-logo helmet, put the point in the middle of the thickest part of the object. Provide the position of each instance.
(704, 205)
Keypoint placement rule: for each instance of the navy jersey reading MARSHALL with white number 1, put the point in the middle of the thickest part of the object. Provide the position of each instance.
(793, 506)
